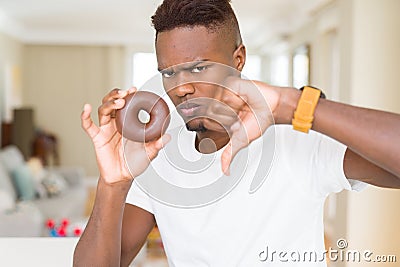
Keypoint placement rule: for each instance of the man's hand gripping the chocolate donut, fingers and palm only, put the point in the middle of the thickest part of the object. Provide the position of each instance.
(109, 144)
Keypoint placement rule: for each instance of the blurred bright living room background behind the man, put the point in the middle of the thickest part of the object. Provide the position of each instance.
(55, 56)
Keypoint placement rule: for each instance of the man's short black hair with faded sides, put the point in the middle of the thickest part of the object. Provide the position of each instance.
(212, 14)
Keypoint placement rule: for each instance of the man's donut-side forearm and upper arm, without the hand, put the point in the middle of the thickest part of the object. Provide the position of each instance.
(116, 238)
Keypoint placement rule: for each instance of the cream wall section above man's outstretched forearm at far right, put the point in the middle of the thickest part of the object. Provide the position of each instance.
(376, 54)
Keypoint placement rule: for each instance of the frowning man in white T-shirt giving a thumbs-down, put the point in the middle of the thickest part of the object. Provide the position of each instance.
(285, 214)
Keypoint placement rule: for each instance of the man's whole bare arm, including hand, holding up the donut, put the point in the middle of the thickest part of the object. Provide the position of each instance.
(112, 228)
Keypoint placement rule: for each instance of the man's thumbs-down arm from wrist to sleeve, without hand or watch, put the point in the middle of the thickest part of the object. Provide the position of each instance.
(373, 154)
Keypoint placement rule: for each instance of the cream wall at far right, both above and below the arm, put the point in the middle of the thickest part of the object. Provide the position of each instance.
(374, 215)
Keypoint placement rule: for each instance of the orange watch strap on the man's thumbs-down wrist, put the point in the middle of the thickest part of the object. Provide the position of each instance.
(304, 114)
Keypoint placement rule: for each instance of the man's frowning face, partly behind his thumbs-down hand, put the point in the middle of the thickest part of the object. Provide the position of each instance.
(192, 60)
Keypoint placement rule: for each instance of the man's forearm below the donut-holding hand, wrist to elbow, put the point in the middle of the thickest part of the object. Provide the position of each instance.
(100, 244)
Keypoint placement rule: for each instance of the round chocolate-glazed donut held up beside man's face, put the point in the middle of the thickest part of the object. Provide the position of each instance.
(127, 118)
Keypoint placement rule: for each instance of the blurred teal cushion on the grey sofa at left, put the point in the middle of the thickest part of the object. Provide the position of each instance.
(23, 182)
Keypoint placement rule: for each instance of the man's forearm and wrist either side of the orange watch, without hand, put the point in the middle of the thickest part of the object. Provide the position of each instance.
(370, 133)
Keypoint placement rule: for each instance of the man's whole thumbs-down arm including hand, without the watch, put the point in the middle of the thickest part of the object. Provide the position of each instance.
(372, 136)
